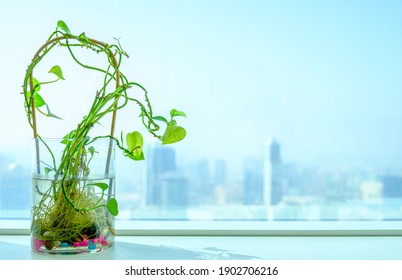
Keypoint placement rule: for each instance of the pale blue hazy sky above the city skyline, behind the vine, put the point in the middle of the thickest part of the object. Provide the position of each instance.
(322, 77)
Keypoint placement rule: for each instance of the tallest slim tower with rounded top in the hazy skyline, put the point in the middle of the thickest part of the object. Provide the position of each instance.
(273, 177)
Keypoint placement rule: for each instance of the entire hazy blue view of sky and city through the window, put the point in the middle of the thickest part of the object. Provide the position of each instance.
(293, 106)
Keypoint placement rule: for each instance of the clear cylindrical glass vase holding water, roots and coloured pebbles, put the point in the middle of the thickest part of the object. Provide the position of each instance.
(73, 186)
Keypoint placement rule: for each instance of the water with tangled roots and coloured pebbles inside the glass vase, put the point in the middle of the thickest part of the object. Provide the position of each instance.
(70, 216)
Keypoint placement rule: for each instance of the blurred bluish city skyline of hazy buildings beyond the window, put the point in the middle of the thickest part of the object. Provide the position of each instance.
(268, 189)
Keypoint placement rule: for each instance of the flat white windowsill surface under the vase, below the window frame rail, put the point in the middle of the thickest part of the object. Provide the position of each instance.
(230, 247)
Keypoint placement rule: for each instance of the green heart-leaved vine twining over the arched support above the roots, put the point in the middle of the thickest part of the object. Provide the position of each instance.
(78, 151)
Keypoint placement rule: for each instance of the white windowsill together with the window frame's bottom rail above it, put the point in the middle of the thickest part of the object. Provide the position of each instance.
(230, 240)
